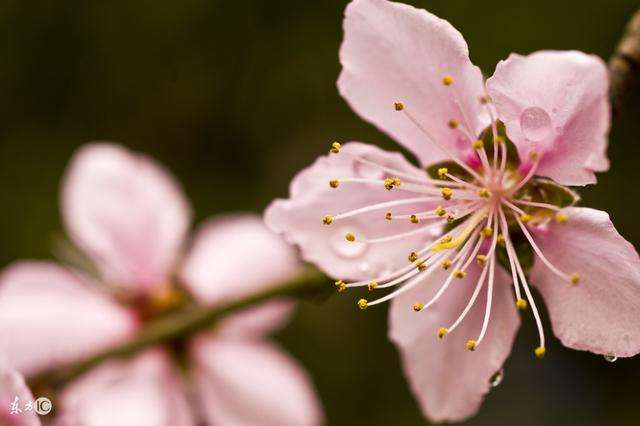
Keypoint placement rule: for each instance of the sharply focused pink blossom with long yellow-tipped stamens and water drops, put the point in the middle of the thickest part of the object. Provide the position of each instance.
(437, 240)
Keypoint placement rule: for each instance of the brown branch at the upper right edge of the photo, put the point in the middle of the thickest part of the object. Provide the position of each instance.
(624, 64)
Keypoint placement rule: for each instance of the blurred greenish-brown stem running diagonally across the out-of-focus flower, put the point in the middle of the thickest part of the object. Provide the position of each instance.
(179, 324)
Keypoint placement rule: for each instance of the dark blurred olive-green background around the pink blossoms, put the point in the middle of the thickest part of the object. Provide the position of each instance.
(235, 97)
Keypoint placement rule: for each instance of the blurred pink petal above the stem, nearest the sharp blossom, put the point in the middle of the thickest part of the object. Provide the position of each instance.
(234, 256)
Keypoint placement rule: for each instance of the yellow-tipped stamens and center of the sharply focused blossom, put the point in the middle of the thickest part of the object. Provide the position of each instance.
(480, 210)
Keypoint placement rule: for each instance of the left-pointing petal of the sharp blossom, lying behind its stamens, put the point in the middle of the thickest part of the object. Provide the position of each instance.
(299, 218)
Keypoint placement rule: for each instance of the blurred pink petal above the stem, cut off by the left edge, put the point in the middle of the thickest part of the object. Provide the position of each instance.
(49, 316)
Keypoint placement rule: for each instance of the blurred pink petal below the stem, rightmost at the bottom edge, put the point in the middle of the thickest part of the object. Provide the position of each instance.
(245, 383)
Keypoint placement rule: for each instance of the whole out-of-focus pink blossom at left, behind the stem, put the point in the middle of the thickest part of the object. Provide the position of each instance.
(131, 218)
